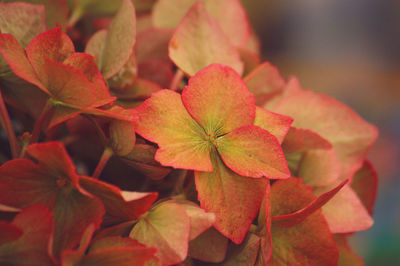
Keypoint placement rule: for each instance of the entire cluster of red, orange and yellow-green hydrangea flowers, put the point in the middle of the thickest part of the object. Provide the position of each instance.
(150, 133)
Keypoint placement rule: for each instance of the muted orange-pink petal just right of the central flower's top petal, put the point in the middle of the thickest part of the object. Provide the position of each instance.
(265, 82)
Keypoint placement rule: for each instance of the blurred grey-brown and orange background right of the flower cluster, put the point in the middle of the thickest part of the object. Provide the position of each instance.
(349, 50)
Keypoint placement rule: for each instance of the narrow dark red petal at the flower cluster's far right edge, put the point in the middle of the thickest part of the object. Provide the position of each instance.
(365, 184)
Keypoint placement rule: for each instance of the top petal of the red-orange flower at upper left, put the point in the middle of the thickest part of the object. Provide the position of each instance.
(52, 44)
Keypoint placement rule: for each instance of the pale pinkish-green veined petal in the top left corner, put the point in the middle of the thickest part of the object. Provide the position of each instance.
(22, 20)
